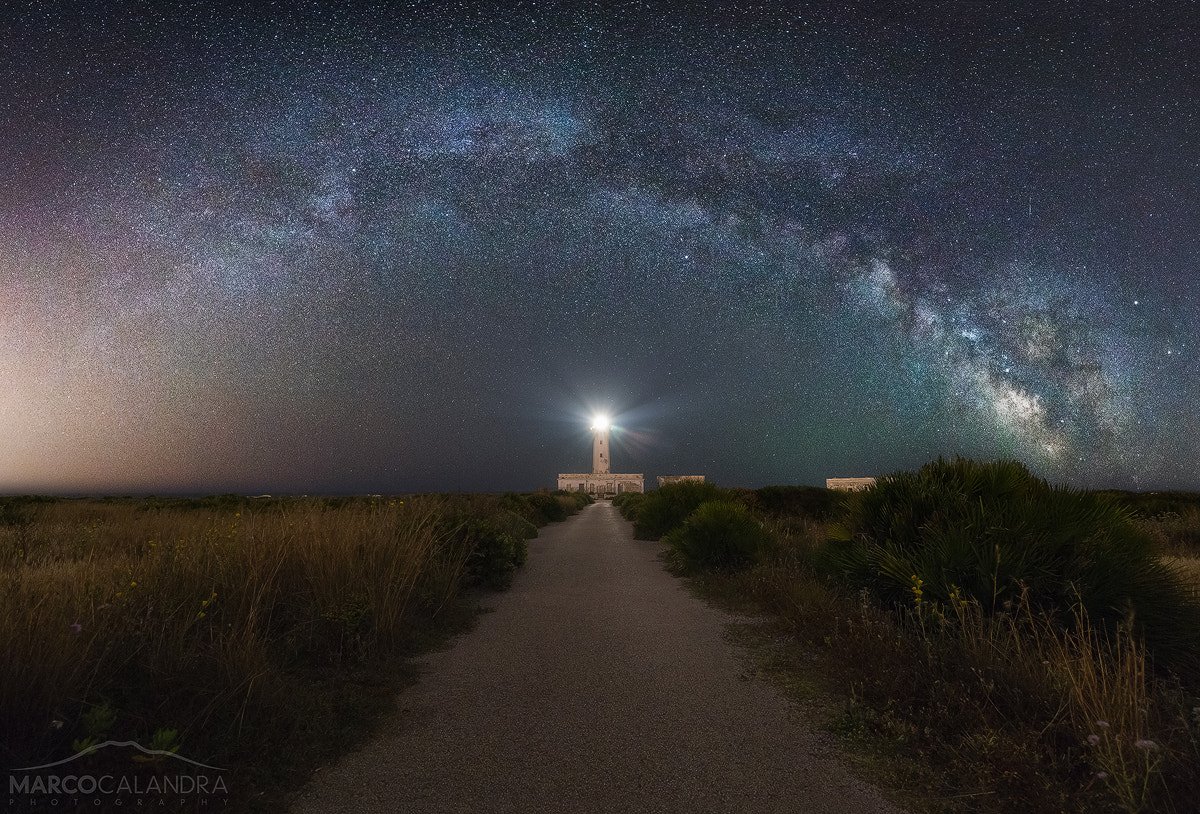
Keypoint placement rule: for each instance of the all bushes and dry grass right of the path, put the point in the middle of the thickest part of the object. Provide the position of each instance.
(993, 643)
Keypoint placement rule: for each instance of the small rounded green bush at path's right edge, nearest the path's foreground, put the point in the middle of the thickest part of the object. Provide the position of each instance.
(719, 536)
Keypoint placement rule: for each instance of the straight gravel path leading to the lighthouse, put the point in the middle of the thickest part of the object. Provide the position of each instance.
(597, 684)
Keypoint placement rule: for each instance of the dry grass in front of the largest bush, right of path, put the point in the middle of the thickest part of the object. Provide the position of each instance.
(969, 713)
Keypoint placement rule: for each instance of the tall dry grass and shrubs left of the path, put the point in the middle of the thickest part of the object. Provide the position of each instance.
(265, 636)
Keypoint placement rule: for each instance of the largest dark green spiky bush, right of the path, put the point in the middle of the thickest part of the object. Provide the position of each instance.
(998, 535)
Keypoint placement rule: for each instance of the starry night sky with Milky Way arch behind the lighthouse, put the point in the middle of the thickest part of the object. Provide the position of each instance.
(338, 248)
